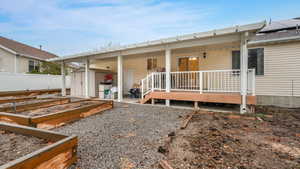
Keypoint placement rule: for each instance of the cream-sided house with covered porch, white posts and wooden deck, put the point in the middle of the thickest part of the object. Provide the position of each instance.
(253, 64)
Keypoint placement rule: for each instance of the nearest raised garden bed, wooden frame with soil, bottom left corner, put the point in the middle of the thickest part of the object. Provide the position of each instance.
(31, 148)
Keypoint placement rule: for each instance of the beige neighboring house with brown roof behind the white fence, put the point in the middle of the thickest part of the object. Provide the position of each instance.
(20, 58)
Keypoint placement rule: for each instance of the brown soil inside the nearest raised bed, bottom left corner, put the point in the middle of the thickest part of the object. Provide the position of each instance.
(13, 146)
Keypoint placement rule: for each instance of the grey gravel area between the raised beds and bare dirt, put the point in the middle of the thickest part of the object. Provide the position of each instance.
(127, 136)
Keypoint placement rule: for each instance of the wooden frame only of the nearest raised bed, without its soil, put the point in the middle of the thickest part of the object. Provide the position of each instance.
(60, 154)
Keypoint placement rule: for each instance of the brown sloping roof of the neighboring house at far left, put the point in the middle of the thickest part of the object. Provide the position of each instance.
(24, 50)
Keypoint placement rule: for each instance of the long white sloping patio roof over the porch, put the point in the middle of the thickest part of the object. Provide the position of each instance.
(202, 35)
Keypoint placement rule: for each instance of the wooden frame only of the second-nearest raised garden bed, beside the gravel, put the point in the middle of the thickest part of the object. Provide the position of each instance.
(60, 118)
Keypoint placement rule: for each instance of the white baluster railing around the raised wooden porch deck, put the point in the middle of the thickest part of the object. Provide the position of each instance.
(226, 81)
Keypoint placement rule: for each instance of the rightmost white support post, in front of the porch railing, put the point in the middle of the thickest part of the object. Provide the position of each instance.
(244, 72)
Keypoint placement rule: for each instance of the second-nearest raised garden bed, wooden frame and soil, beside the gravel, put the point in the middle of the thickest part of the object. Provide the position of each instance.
(55, 116)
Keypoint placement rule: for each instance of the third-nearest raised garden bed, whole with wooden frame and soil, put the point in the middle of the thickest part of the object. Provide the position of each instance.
(32, 104)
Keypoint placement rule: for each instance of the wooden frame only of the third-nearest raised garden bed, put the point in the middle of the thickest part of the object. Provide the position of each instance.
(32, 106)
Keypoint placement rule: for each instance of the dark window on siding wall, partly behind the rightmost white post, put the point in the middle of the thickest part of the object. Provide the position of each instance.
(255, 60)
